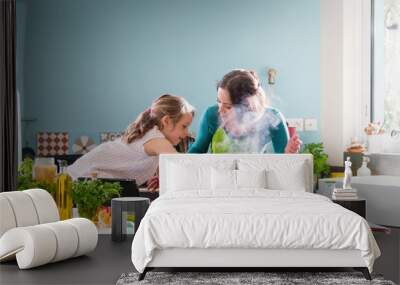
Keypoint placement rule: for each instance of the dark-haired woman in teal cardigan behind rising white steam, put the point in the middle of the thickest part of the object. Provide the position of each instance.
(242, 121)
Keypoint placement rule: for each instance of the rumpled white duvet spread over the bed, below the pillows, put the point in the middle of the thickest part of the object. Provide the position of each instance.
(250, 219)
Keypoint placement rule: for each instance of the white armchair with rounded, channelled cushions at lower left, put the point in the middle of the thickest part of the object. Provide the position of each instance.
(33, 244)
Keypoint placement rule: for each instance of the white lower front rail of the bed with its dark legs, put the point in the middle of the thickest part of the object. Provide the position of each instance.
(260, 259)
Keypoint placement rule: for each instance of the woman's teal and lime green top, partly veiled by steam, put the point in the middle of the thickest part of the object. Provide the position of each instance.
(271, 136)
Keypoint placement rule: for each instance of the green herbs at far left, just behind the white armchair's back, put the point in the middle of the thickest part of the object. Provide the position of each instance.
(25, 180)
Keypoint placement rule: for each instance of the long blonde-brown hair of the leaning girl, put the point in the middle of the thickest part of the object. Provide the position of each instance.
(166, 105)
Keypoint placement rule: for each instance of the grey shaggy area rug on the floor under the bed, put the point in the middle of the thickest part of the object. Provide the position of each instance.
(228, 278)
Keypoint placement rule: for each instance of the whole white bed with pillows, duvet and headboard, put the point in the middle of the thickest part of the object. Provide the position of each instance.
(221, 211)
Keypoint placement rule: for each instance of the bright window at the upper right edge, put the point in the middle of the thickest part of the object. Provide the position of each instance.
(386, 60)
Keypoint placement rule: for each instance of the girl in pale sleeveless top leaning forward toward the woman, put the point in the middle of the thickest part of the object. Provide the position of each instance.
(135, 155)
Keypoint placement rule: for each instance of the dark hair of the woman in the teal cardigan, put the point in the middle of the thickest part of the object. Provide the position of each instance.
(244, 88)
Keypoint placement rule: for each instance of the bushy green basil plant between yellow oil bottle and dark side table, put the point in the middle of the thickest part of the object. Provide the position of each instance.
(90, 195)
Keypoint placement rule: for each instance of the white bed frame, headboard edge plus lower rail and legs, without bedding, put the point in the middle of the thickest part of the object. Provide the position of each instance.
(246, 259)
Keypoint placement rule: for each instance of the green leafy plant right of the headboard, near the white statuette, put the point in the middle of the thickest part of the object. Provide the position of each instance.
(321, 167)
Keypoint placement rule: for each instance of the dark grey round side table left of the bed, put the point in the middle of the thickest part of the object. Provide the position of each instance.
(120, 207)
